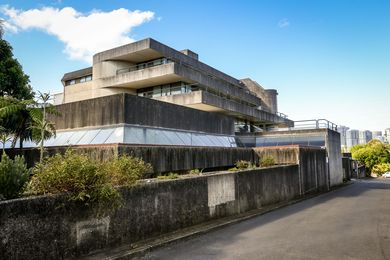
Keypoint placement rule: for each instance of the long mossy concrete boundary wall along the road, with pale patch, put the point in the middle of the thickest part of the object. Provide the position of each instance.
(51, 228)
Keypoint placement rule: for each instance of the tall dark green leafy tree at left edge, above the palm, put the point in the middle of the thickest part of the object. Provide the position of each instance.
(13, 81)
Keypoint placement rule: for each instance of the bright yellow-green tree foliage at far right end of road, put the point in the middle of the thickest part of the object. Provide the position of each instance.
(371, 154)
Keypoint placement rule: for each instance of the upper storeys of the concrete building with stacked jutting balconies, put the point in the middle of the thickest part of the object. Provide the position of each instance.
(150, 69)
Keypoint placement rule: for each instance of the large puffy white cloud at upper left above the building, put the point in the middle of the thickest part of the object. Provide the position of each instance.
(82, 34)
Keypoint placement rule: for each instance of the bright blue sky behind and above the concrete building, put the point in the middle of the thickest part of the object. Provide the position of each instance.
(327, 59)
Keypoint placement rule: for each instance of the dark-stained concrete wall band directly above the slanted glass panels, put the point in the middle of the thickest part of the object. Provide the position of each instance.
(130, 109)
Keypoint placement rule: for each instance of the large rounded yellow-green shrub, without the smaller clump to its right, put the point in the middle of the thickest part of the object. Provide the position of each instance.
(75, 174)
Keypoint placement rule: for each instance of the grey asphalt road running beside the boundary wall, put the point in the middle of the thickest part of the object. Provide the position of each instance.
(349, 223)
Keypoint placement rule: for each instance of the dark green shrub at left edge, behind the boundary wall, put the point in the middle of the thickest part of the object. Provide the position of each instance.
(13, 176)
